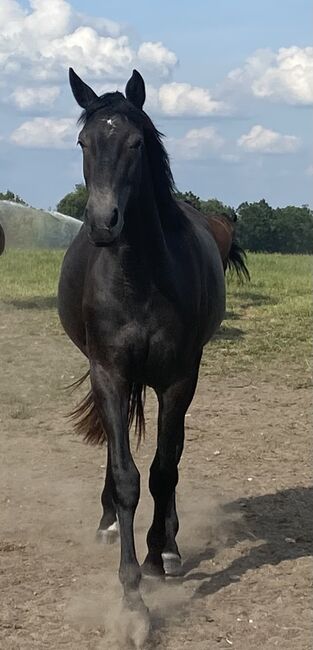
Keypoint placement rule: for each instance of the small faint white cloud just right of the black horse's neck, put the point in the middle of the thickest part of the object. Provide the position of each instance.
(196, 144)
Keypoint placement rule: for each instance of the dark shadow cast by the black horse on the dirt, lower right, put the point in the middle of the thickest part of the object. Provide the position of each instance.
(283, 521)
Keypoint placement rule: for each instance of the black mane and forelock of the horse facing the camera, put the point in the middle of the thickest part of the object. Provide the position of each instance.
(115, 103)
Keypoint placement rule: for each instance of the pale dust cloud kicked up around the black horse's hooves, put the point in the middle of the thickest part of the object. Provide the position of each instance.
(204, 527)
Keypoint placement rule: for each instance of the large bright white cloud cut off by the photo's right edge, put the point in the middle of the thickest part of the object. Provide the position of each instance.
(285, 75)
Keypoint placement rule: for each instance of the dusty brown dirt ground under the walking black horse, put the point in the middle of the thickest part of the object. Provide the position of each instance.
(245, 499)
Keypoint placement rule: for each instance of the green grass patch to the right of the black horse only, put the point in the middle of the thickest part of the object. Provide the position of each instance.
(269, 318)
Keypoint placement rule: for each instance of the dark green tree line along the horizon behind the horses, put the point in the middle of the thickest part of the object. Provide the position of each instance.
(260, 228)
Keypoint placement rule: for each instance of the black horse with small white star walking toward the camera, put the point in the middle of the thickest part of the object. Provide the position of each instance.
(141, 292)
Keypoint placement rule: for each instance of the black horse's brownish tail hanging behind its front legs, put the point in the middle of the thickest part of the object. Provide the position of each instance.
(87, 422)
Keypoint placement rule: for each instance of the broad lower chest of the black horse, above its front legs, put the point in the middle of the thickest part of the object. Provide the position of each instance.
(146, 339)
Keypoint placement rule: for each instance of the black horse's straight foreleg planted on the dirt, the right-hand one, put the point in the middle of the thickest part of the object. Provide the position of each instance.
(163, 555)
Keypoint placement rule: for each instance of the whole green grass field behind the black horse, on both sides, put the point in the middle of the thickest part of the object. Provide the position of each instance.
(268, 319)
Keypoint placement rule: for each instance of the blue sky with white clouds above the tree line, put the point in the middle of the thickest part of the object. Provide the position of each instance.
(230, 84)
